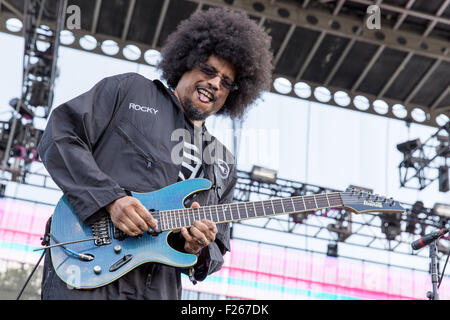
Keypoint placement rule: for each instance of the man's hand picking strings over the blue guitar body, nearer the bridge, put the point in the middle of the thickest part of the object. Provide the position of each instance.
(129, 215)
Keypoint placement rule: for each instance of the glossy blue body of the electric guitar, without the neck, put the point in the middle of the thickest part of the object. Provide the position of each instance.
(113, 260)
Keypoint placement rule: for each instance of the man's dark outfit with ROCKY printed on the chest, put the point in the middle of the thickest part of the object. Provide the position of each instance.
(122, 135)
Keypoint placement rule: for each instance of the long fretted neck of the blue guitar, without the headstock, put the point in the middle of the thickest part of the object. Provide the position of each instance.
(230, 212)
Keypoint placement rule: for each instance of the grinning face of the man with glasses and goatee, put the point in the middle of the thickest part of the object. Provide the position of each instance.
(202, 93)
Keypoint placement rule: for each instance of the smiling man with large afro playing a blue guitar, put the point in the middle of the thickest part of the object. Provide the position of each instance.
(129, 133)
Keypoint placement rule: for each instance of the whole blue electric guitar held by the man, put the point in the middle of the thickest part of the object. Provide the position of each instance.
(90, 256)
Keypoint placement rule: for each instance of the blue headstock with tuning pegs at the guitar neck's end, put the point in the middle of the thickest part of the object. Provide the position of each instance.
(362, 202)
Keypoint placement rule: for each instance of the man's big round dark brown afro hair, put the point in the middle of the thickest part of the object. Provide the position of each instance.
(227, 34)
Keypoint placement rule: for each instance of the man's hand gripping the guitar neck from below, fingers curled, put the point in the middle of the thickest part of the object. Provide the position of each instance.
(199, 235)
